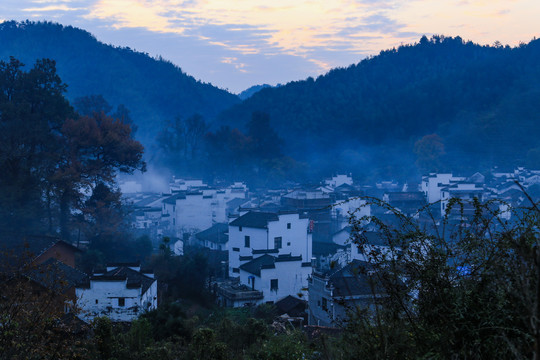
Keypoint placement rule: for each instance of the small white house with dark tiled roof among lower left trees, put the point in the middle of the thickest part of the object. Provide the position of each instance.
(122, 293)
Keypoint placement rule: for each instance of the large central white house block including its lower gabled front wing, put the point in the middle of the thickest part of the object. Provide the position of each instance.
(270, 254)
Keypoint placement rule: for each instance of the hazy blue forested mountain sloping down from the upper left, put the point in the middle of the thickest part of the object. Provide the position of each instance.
(154, 90)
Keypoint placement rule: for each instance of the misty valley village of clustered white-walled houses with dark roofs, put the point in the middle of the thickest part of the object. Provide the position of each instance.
(274, 240)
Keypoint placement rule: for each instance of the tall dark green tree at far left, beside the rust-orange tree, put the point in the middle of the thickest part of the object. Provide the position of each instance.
(32, 111)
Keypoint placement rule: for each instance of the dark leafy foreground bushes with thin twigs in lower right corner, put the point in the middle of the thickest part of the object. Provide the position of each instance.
(466, 288)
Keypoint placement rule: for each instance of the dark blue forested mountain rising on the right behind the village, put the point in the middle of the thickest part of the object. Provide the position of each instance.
(482, 102)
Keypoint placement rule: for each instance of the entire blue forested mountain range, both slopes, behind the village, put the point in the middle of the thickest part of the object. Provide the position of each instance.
(440, 104)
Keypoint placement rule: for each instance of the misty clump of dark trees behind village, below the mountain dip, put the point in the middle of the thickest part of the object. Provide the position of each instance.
(190, 146)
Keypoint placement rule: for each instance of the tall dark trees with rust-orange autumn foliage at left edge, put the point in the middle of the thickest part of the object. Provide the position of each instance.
(59, 167)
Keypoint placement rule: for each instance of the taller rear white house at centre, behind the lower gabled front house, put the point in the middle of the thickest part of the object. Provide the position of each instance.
(287, 233)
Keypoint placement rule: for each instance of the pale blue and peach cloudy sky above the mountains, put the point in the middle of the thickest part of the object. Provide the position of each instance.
(235, 44)
